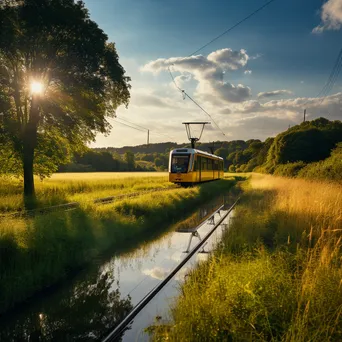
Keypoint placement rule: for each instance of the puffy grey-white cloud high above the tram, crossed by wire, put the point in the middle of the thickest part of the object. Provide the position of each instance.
(209, 73)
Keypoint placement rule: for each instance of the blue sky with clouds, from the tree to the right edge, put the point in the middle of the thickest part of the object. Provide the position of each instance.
(255, 81)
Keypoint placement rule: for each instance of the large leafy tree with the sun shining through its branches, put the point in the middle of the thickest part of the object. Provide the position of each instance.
(60, 79)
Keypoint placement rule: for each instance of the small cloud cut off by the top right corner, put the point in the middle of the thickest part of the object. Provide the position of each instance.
(331, 16)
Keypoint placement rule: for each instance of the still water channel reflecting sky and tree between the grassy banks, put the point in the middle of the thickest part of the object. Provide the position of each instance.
(99, 297)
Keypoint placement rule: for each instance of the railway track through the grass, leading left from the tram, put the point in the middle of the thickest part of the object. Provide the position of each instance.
(74, 205)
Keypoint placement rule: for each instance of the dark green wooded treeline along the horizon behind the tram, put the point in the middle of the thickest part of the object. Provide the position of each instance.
(312, 149)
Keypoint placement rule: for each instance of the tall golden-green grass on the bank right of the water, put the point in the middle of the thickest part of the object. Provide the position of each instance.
(277, 274)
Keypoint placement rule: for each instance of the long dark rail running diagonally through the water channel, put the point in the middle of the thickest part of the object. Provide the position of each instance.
(116, 333)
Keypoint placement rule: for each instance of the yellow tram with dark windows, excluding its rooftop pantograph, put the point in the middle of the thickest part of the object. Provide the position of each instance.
(189, 166)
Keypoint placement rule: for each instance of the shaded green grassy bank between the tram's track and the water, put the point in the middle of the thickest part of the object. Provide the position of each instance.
(37, 252)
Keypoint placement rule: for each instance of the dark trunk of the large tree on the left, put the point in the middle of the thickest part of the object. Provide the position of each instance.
(30, 143)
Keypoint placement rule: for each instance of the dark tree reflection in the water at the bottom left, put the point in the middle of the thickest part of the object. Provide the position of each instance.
(83, 315)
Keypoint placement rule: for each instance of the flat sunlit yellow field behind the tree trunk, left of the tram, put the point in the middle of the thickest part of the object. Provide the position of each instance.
(79, 187)
